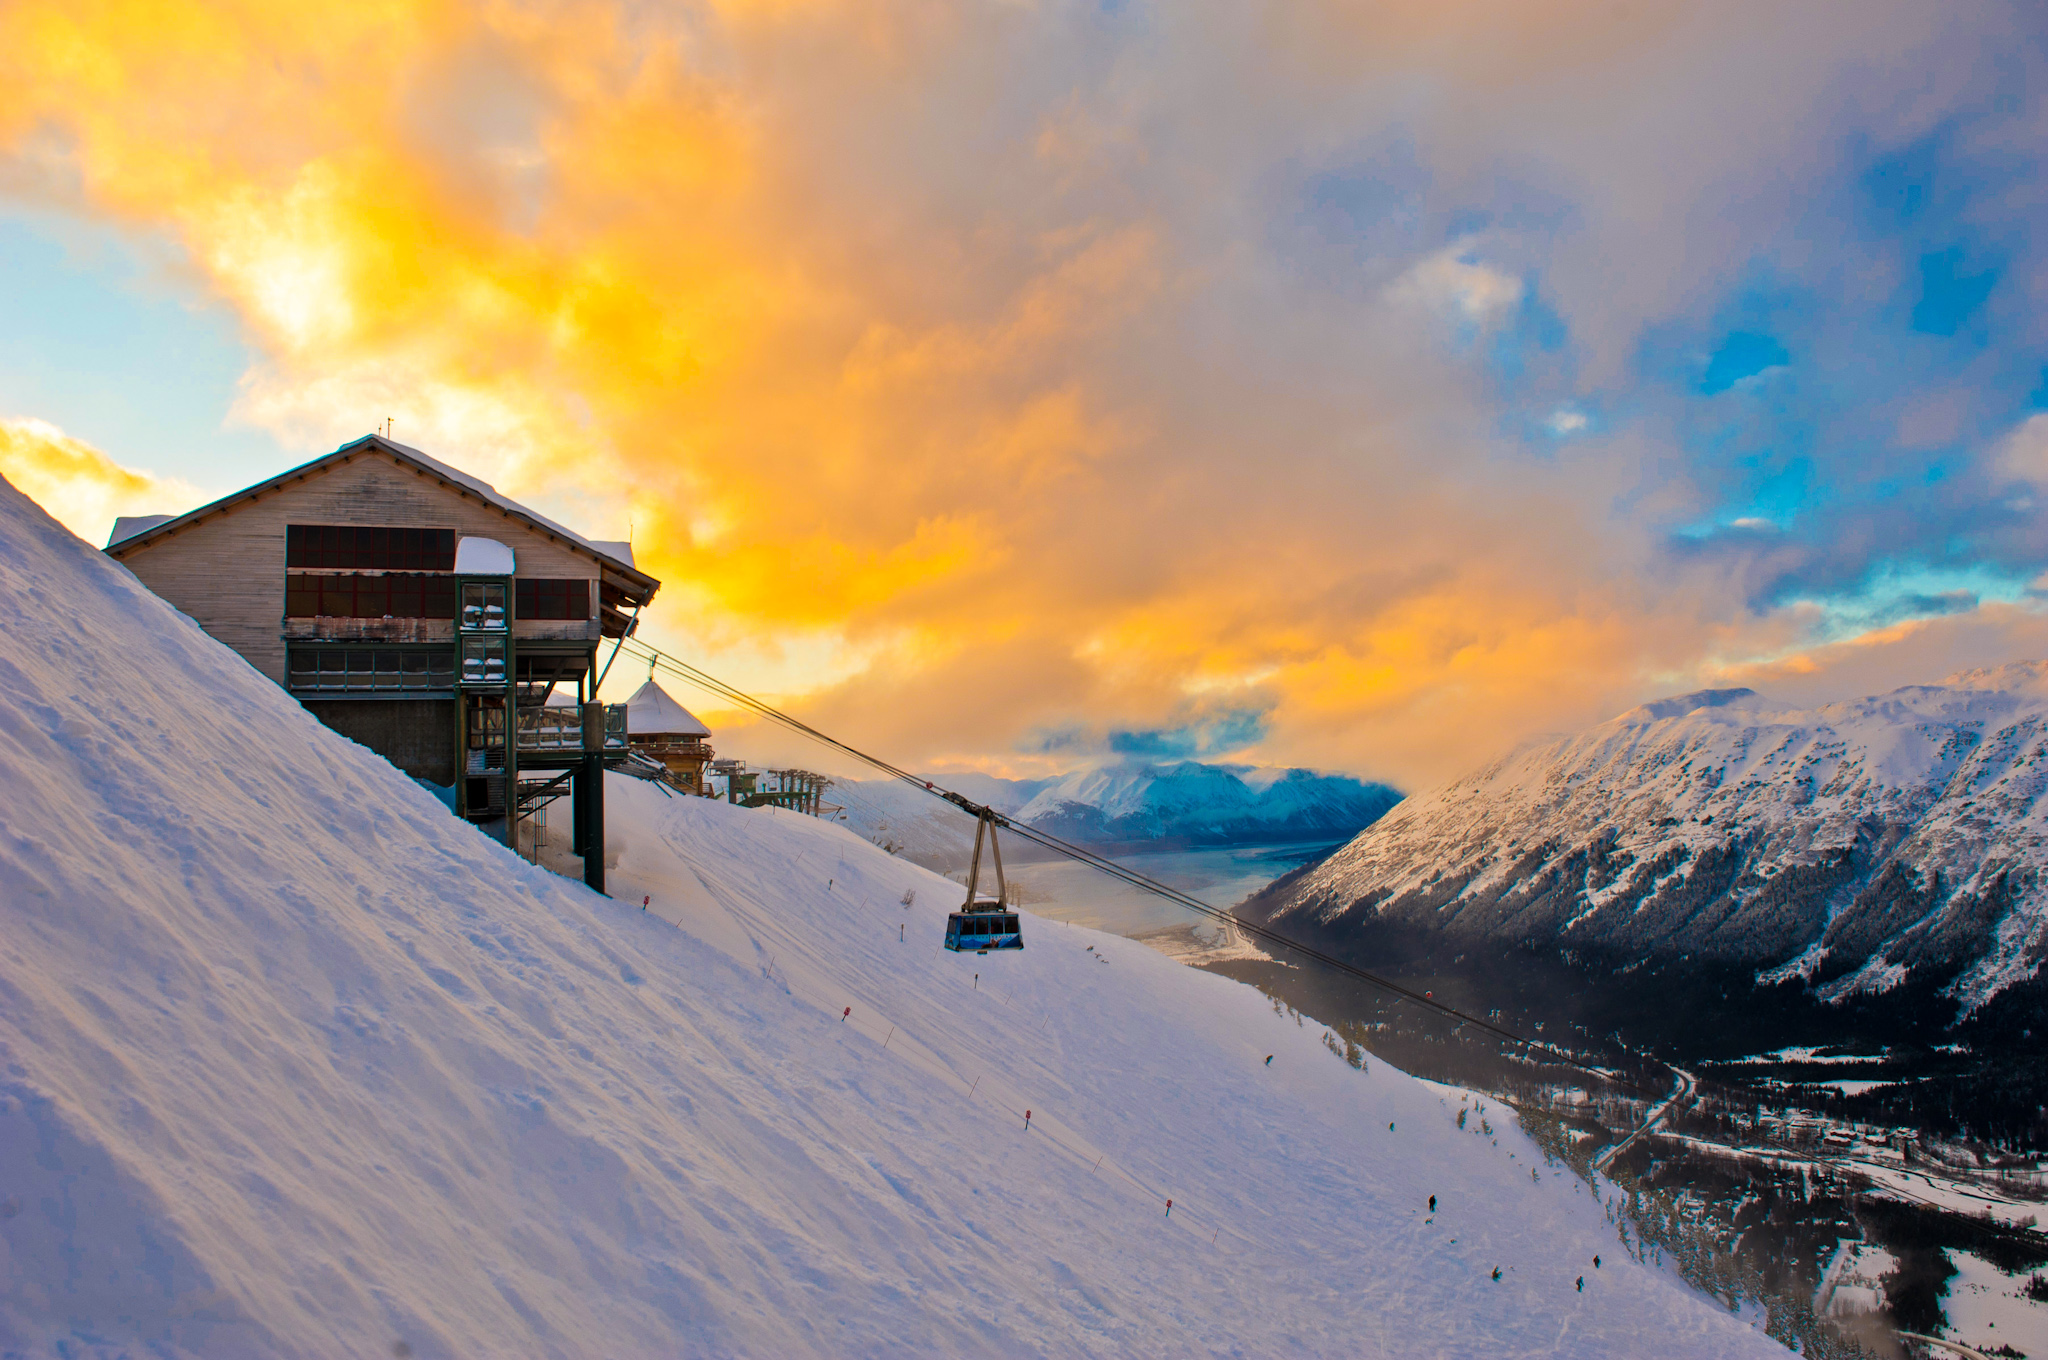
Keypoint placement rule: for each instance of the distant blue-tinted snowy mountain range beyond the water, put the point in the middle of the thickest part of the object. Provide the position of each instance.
(1185, 804)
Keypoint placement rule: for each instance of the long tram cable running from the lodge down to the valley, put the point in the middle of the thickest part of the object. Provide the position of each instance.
(683, 671)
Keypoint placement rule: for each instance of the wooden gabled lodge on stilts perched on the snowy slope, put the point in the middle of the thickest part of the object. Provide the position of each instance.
(417, 611)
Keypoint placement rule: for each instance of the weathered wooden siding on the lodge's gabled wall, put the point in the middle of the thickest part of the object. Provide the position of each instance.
(228, 568)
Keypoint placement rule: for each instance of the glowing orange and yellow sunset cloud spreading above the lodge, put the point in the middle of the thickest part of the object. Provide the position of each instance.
(955, 398)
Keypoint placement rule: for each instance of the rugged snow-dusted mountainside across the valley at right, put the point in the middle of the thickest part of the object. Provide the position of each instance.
(1861, 845)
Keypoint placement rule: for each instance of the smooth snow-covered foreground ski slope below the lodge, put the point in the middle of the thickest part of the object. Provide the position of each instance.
(294, 1064)
